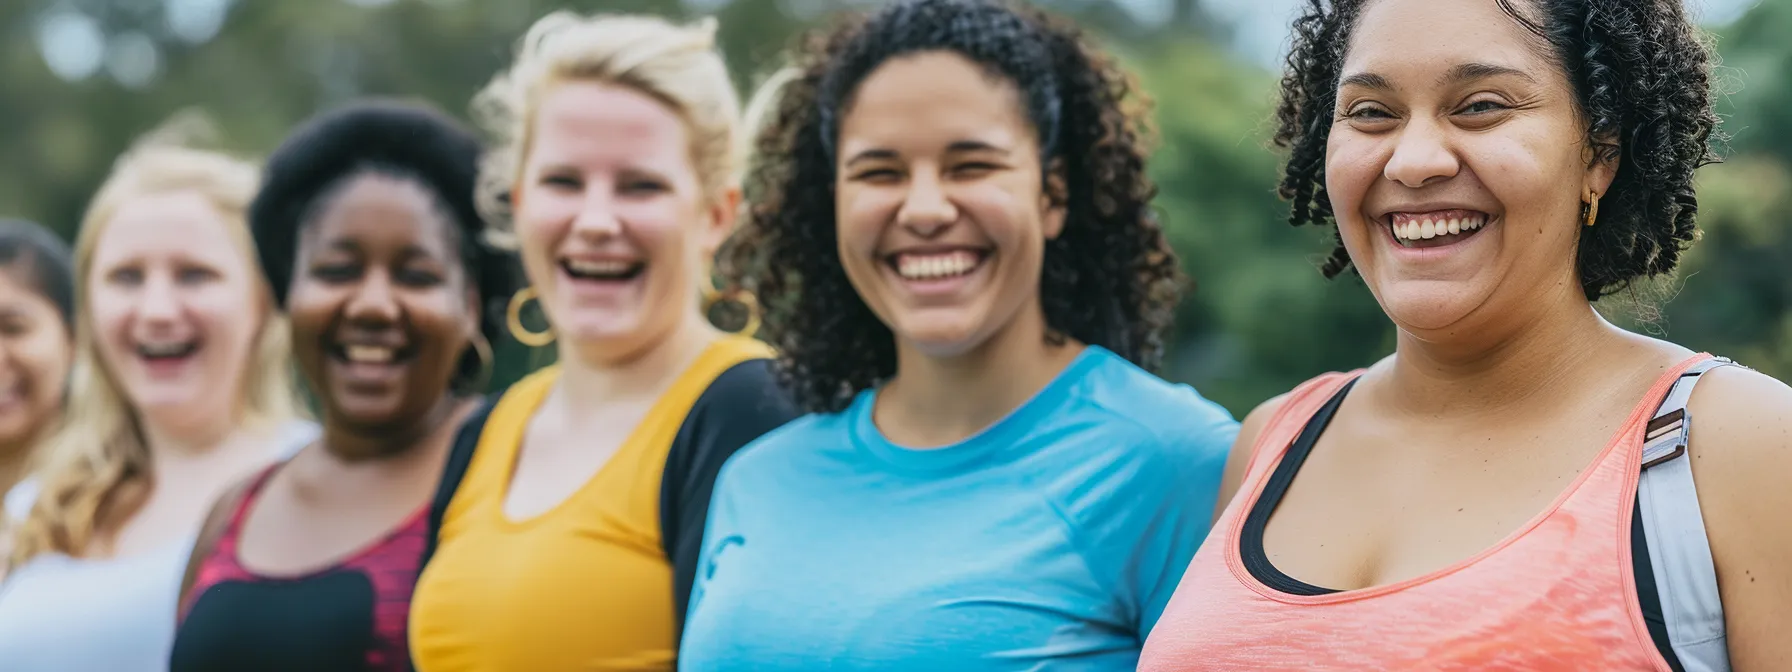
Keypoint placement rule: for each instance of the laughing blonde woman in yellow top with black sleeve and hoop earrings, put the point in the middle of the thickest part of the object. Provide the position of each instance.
(573, 510)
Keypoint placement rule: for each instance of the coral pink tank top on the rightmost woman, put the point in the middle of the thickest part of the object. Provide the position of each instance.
(1558, 594)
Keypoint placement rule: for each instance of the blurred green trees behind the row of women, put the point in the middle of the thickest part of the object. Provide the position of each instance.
(82, 80)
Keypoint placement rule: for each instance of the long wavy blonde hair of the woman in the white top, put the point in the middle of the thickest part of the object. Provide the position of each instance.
(98, 465)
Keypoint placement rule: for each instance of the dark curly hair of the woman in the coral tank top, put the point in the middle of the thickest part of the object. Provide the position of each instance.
(1641, 76)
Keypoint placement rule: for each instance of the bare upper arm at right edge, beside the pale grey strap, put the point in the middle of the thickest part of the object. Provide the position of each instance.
(1743, 465)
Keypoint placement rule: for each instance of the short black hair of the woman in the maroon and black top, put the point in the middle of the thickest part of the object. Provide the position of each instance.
(392, 139)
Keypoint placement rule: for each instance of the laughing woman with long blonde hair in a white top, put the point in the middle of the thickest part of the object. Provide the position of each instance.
(180, 388)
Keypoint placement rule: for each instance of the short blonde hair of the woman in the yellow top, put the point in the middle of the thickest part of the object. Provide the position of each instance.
(676, 65)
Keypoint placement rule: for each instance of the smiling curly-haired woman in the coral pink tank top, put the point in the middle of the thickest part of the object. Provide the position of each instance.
(1515, 487)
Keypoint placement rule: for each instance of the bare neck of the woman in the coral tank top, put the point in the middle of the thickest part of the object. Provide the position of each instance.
(1508, 370)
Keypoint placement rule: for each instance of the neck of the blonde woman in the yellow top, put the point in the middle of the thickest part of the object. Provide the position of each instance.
(587, 383)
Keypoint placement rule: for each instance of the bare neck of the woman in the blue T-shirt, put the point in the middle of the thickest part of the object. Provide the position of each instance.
(942, 401)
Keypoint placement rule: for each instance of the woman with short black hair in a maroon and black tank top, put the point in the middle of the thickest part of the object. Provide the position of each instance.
(368, 232)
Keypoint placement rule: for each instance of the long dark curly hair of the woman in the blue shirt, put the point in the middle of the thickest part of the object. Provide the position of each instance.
(1110, 279)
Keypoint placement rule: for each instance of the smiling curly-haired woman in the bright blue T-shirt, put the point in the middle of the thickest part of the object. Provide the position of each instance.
(954, 220)
